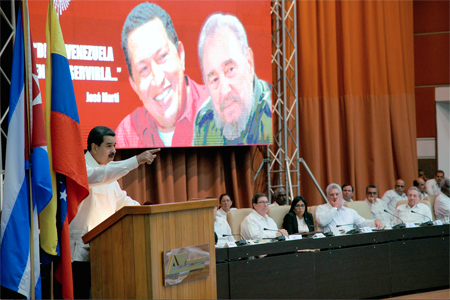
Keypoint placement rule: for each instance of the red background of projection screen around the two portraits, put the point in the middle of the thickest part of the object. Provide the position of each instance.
(92, 33)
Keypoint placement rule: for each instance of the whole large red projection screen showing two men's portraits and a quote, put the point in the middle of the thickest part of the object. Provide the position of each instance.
(166, 101)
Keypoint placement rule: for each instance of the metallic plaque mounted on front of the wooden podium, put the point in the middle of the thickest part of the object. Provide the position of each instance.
(184, 264)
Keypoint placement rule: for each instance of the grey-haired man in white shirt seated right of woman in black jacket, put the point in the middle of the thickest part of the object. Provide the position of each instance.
(336, 217)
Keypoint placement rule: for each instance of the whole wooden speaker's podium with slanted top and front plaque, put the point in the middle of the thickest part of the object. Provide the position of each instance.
(155, 252)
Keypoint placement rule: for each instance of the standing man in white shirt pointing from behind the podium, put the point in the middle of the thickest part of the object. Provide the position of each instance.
(104, 199)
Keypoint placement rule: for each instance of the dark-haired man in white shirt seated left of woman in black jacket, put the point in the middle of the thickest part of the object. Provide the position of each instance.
(252, 228)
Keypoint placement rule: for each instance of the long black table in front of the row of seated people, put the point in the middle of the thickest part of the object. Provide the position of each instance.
(354, 266)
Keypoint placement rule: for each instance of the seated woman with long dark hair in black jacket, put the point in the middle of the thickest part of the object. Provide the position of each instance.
(298, 219)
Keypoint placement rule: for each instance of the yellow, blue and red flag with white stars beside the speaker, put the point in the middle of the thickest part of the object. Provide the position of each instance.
(65, 150)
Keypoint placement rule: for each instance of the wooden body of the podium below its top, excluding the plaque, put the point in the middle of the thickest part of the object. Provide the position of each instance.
(127, 257)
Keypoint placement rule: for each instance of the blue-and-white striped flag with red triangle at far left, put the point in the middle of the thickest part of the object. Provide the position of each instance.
(26, 159)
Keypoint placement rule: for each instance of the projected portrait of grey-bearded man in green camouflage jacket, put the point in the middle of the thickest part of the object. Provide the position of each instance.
(238, 111)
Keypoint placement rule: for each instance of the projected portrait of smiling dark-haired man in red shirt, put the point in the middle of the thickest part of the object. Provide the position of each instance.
(156, 63)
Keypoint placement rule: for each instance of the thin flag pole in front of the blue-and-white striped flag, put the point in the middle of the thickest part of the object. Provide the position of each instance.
(28, 94)
